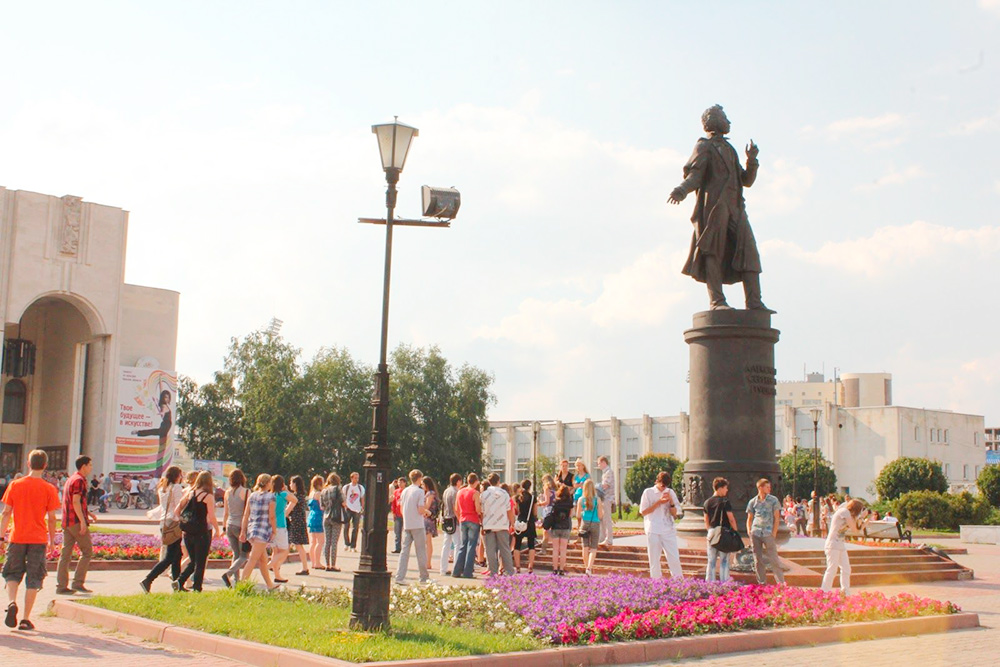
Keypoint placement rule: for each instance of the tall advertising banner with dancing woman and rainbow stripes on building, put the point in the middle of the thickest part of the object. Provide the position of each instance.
(144, 438)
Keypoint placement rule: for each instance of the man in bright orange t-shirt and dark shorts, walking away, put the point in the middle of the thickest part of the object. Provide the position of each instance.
(33, 503)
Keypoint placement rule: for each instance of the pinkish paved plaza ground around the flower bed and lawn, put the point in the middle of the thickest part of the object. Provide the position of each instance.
(59, 643)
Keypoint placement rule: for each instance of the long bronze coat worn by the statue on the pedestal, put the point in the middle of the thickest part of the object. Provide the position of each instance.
(720, 220)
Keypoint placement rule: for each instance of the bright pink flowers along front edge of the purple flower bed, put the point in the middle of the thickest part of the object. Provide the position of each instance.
(746, 608)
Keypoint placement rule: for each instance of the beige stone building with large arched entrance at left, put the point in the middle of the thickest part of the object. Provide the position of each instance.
(71, 329)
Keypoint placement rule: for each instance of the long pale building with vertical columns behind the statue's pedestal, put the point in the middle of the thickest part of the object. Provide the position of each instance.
(858, 430)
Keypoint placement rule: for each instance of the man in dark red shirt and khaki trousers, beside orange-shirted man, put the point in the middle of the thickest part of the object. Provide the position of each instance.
(76, 520)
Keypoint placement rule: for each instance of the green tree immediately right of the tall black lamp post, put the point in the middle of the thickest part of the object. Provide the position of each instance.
(437, 416)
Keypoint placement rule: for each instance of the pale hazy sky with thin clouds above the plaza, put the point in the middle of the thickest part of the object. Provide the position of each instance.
(238, 136)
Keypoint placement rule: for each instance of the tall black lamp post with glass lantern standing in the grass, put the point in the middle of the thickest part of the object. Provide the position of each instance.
(370, 607)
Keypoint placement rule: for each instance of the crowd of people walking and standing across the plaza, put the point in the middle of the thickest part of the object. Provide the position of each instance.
(486, 523)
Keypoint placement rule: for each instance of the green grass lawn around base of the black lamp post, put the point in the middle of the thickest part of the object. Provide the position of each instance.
(310, 626)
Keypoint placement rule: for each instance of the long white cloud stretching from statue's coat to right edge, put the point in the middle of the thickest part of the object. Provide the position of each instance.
(891, 248)
